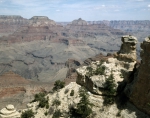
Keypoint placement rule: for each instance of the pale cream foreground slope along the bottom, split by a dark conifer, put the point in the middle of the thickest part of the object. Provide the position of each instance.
(66, 100)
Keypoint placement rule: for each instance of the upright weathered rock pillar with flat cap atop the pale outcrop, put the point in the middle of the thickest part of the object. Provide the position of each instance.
(127, 51)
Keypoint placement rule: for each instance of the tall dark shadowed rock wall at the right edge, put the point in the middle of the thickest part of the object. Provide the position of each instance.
(140, 94)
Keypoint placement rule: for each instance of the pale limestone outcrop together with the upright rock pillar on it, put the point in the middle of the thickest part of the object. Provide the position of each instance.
(120, 68)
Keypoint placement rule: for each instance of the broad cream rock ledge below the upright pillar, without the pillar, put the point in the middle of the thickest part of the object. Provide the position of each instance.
(95, 82)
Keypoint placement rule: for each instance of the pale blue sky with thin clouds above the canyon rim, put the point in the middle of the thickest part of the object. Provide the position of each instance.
(68, 10)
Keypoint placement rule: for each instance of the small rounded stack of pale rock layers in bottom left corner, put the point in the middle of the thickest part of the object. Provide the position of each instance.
(9, 112)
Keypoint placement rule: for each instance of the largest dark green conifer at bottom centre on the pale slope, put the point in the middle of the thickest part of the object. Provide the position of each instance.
(84, 107)
